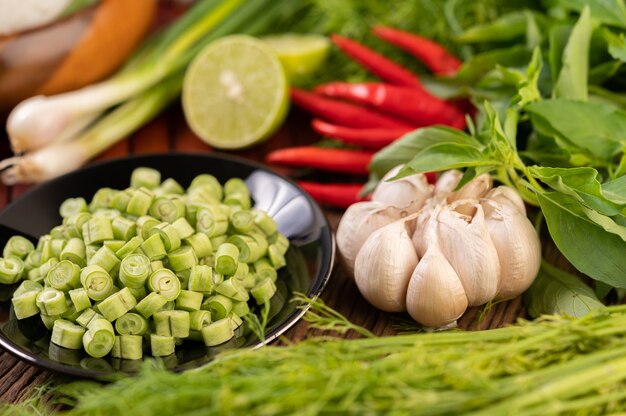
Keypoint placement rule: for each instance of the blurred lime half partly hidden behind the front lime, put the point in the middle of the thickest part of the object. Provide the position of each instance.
(300, 54)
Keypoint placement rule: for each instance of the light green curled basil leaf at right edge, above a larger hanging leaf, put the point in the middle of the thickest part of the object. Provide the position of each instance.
(581, 183)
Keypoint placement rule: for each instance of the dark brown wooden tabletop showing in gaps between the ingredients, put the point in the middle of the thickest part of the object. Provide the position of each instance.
(169, 132)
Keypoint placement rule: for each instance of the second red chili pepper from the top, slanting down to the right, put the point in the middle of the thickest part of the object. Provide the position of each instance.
(384, 68)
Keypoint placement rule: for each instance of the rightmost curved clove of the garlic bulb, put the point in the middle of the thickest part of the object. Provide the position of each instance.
(518, 248)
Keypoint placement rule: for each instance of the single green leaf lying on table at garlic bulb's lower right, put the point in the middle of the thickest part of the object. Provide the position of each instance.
(555, 291)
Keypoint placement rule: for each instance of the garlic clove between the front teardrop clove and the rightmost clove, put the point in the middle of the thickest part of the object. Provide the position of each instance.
(466, 243)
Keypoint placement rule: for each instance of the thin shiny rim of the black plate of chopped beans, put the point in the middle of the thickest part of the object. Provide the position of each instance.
(314, 291)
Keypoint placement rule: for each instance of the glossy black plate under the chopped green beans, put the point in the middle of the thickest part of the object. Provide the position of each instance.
(309, 260)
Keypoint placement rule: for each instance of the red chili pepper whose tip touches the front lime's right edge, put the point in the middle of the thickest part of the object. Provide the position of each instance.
(343, 113)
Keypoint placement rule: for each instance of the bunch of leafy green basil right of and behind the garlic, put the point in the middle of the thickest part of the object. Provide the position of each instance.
(551, 123)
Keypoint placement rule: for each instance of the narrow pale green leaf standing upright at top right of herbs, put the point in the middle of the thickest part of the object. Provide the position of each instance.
(572, 80)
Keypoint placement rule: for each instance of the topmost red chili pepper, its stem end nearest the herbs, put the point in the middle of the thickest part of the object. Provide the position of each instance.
(433, 55)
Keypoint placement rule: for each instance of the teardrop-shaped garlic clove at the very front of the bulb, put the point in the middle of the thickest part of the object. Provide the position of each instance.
(435, 296)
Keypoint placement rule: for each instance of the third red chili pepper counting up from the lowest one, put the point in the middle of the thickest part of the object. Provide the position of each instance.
(371, 138)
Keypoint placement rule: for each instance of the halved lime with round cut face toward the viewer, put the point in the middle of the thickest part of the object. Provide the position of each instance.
(235, 92)
